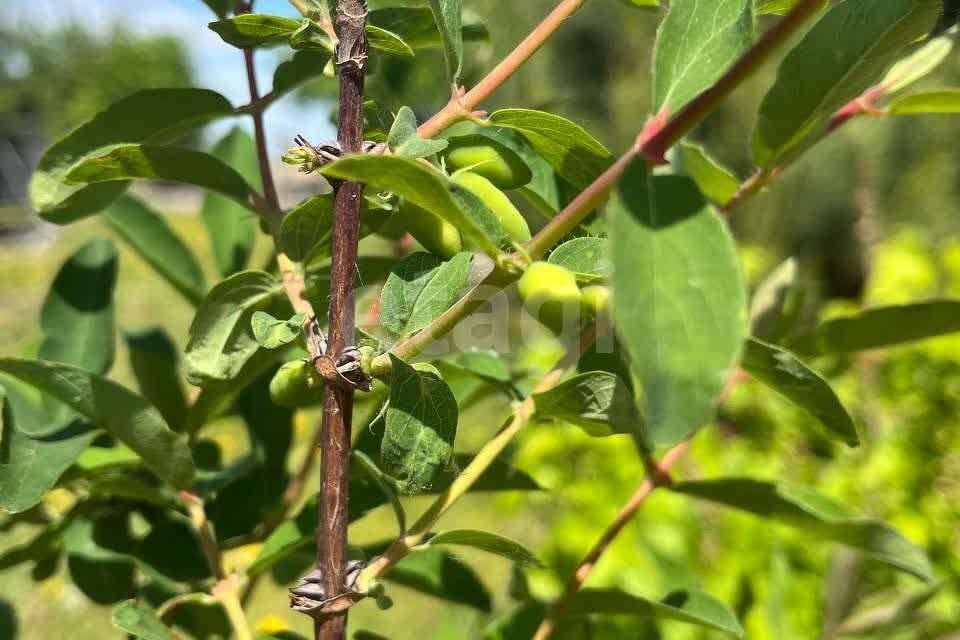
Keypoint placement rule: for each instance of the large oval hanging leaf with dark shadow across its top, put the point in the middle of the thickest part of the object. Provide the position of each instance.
(679, 300)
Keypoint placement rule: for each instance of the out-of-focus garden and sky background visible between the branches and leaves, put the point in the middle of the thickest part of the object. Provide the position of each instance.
(872, 215)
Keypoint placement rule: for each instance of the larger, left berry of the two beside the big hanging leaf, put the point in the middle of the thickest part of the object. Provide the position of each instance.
(550, 293)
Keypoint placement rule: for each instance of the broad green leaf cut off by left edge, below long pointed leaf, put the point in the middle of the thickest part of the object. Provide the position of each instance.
(29, 467)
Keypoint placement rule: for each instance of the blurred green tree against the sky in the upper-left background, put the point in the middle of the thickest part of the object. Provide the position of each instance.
(50, 81)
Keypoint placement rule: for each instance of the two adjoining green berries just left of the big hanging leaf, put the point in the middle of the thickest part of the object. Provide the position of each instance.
(551, 294)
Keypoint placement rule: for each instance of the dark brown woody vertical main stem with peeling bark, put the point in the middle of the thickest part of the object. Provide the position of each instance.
(350, 21)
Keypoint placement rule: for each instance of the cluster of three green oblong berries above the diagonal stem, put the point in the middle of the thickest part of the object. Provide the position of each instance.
(485, 168)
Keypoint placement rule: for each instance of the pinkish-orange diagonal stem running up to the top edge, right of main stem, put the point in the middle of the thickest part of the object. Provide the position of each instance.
(461, 106)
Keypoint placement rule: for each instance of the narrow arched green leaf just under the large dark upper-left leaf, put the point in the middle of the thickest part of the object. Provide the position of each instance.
(127, 162)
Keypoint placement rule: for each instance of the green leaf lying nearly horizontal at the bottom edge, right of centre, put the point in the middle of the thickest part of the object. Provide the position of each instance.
(684, 605)
